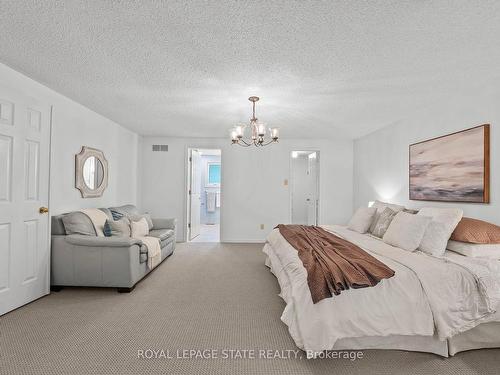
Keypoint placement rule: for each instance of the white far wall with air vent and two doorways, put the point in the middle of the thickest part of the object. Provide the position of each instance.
(253, 190)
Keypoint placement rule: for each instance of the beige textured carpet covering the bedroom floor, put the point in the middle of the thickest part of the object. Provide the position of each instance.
(206, 296)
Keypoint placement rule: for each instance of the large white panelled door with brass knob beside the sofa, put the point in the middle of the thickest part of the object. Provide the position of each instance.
(24, 196)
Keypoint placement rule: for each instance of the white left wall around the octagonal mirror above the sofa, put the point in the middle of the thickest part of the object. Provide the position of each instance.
(74, 126)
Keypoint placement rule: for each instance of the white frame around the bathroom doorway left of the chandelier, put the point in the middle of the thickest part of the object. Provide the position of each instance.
(187, 183)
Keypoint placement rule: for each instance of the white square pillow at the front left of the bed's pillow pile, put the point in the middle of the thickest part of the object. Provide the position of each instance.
(406, 231)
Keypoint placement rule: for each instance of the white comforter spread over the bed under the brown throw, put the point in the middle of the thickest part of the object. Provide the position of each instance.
(426, 294)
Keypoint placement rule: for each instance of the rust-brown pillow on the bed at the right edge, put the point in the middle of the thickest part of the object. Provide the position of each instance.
(476, 231)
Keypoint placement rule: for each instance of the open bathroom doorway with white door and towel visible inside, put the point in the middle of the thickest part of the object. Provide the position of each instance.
(204, 195)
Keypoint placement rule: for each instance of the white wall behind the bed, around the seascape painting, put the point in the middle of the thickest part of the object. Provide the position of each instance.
(381, 158)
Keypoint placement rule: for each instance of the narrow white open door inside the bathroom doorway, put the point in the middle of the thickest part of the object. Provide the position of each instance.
(195, 194)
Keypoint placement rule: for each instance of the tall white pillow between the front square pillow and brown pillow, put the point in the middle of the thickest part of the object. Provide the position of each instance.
(444, 222)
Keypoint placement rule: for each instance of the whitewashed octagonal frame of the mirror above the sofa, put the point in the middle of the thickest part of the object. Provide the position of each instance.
(80, 184)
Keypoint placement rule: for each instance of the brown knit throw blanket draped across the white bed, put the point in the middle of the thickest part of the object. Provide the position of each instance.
(332, 263)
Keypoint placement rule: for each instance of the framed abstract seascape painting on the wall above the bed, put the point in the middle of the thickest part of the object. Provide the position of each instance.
(453, 168)
